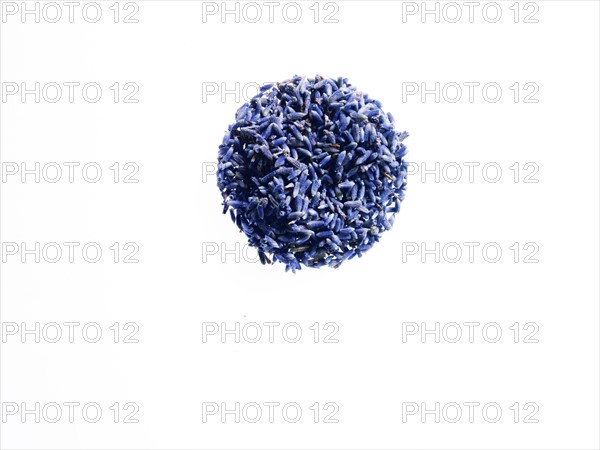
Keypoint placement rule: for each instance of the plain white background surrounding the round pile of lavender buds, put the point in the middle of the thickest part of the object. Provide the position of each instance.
(174, 215)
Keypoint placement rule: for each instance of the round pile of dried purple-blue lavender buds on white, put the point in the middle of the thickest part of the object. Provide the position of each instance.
(312, 171)
